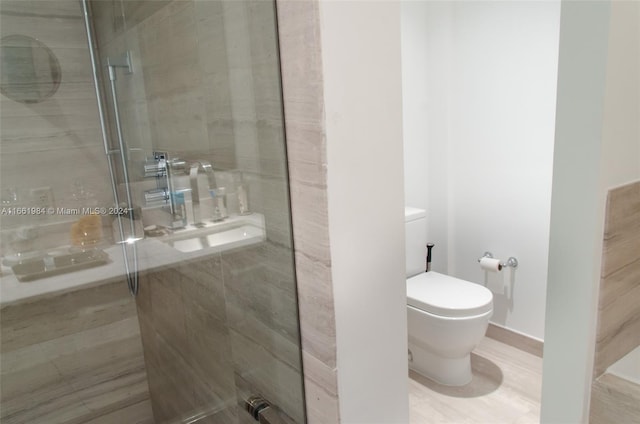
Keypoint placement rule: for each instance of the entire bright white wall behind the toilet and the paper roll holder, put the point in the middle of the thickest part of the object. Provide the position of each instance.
(486, 115)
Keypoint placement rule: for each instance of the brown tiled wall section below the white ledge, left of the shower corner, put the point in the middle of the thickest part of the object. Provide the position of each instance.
(73, 358)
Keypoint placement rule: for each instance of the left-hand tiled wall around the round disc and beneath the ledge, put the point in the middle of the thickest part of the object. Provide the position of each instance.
(77, 356)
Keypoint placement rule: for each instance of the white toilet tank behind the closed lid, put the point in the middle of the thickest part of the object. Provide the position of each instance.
(415, 228)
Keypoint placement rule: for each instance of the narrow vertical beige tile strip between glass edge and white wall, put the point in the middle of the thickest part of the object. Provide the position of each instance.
(301, 62)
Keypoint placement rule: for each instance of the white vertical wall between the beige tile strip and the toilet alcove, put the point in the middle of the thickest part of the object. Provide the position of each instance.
(363, 106)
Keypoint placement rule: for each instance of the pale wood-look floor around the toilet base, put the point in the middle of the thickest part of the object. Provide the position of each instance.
(506, 388)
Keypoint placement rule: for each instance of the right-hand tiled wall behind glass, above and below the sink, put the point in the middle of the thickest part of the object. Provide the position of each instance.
(206, 87)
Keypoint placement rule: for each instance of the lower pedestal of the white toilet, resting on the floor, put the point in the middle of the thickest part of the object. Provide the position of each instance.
(447, 371)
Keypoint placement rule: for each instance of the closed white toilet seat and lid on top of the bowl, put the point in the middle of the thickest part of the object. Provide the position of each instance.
(447, 296)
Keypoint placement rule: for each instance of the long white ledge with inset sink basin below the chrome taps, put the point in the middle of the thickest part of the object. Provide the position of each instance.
(153, 254)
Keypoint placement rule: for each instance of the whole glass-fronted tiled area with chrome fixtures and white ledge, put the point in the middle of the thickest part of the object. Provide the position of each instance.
(147, 261)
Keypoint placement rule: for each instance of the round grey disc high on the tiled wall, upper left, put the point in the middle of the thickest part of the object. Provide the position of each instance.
(30, 71)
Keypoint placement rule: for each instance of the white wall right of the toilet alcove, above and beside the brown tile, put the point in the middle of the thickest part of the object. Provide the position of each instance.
(597, 148)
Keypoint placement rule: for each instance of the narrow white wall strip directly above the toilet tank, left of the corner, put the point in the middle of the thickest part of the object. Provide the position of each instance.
(426, 75)
